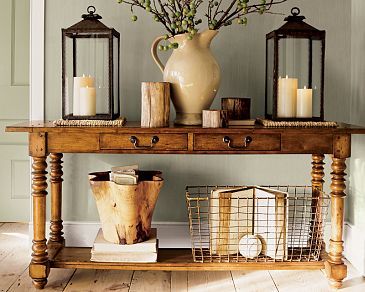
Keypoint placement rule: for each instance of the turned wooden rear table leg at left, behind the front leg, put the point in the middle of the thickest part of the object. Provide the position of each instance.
(56, 234)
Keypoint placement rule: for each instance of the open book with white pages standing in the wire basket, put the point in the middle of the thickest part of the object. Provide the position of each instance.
(235, 212)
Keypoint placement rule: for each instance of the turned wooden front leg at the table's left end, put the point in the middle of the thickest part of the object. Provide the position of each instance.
(39, 266)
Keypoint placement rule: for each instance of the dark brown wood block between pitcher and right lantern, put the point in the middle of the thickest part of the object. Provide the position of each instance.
(238, 108)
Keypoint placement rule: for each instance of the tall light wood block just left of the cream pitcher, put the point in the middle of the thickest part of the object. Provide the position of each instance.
(155, 104)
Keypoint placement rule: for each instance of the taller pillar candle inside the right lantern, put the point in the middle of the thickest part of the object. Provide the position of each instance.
(287, 97)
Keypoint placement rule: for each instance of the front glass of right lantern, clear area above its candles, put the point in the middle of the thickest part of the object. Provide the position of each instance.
(294, 60)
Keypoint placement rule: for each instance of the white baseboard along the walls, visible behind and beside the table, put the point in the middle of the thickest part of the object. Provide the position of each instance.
(177, 235)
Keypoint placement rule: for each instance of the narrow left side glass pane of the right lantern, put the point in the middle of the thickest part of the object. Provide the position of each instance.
(270, 75)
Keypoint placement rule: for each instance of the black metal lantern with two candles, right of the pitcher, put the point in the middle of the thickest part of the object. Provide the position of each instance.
(295, 71)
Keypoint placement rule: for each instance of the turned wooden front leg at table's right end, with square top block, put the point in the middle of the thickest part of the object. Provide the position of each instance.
(335, 268)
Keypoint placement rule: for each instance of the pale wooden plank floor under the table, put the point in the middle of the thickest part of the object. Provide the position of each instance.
(14, 259)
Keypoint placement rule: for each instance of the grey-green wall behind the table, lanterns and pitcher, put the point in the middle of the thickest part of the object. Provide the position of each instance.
(241, 54)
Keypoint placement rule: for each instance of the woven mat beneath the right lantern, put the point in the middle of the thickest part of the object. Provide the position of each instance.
(296, 124)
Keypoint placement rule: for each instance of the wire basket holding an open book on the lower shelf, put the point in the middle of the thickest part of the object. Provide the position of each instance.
(242, 224)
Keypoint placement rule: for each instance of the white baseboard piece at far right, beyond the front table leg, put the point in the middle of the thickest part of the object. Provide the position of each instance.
(354, 252)
